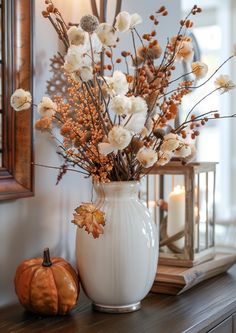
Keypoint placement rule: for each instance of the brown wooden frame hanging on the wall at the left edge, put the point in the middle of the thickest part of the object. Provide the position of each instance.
(16, 174)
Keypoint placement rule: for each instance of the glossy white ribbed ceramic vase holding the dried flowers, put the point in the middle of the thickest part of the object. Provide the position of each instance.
(117, 270)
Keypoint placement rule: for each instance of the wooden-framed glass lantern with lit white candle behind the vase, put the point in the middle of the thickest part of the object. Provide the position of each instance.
(181, 198)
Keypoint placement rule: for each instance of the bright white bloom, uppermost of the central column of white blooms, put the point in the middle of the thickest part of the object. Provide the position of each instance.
(117, 84)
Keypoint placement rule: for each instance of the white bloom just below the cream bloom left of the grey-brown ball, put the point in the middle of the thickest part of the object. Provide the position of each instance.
(75, 58)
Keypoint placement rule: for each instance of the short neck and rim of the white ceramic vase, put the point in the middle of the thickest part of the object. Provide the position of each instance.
(125, 190)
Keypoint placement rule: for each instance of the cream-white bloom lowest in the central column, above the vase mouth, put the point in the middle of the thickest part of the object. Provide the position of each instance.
(118, 139)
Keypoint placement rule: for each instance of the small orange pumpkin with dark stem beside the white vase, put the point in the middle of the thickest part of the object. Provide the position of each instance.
(48, 286)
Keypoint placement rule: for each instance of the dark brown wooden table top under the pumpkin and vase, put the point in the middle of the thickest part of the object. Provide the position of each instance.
(197, 310)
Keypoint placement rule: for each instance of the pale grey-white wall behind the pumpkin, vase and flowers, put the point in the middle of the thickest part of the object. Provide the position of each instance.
(28, 225)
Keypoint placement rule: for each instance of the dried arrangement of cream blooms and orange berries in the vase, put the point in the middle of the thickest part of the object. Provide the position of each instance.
(115, 123)
